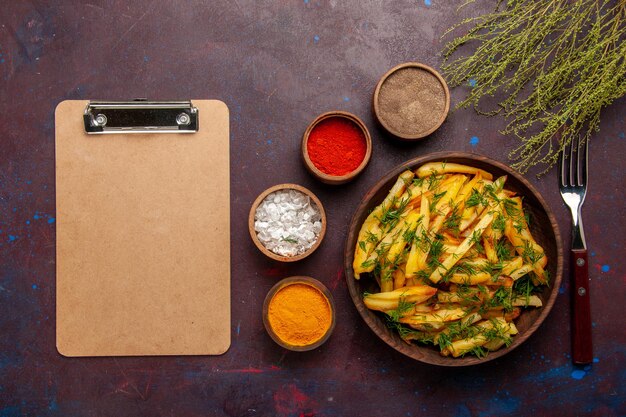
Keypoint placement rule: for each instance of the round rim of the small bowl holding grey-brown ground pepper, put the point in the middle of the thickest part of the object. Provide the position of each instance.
(376, 105)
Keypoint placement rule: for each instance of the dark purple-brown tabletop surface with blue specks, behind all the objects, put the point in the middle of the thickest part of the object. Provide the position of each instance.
(277, 64)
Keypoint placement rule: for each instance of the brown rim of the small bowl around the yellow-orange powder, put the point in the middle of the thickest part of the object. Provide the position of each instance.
(299, 279)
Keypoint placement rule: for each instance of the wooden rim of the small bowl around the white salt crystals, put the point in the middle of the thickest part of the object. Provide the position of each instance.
(253, 233)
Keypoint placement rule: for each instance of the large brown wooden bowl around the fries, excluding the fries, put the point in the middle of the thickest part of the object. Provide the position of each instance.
(544, 228)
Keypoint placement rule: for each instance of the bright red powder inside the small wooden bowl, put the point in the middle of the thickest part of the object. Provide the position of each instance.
(336, 146)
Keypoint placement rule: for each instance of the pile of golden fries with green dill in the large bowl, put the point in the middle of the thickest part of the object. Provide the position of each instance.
(454, 258)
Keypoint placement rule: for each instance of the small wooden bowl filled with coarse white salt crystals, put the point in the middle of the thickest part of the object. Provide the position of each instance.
(287, 222)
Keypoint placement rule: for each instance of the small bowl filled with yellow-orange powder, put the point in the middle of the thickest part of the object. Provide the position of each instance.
(299, 313)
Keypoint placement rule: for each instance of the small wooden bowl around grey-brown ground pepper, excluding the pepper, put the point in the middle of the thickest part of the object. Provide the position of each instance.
(393, 129)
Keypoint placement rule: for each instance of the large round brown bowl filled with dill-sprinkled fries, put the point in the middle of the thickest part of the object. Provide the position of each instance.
(453, 259)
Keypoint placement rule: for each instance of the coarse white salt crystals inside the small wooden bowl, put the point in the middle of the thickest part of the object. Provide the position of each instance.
(287, 222)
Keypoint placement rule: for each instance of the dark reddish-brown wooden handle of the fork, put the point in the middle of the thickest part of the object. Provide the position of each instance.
(582, 350)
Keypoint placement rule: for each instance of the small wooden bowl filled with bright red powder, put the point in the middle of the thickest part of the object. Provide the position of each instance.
(336, 147)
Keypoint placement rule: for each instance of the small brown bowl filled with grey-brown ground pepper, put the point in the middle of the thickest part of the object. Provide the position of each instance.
(411, 101)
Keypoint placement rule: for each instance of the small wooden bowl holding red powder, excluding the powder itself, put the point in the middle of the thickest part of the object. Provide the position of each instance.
(336, 179)
